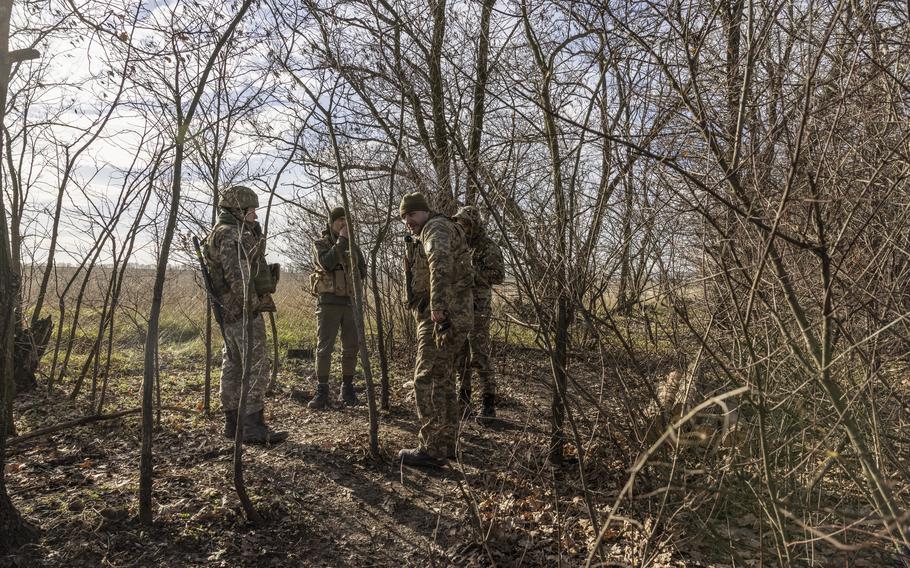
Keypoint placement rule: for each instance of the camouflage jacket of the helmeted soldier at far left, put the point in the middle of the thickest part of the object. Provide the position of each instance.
(235, 255)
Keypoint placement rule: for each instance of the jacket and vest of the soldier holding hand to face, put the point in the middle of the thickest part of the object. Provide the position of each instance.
(331, 281)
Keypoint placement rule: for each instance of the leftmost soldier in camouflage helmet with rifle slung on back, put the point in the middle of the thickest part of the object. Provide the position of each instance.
(235, 255)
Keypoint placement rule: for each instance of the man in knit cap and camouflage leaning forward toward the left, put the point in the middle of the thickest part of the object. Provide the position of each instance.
(439, 277)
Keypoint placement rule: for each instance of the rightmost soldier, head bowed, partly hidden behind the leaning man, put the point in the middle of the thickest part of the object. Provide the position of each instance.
(474, 355)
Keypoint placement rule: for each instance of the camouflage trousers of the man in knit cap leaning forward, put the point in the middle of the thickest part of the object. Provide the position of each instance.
(434, 378)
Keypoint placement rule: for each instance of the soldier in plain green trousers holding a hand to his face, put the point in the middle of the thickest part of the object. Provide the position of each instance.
(333, 285)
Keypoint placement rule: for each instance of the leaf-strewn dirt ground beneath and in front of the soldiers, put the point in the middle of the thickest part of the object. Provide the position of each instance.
(327, 502)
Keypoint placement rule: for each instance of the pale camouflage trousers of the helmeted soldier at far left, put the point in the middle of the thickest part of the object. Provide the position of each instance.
(232, 366)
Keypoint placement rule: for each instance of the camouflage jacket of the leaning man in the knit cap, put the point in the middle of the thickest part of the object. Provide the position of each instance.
(439, 263)
